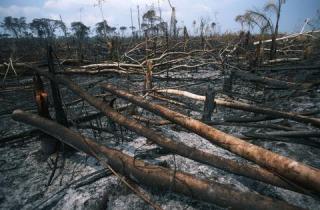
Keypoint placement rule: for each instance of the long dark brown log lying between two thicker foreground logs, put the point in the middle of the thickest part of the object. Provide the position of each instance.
(176, 147)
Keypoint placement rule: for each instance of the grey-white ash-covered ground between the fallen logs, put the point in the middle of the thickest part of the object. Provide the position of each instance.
(80, 182)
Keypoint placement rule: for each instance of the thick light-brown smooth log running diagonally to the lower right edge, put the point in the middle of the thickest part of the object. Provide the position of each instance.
(298, 173)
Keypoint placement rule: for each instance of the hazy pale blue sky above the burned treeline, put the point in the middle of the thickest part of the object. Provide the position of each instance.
(117, 12)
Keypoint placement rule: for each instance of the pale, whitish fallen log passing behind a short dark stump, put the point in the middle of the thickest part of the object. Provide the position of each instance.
(247, 107)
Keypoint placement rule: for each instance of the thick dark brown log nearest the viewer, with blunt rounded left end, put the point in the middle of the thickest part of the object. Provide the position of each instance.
(152, 175)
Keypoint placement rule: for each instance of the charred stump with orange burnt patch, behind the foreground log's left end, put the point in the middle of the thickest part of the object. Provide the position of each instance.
(48, 143)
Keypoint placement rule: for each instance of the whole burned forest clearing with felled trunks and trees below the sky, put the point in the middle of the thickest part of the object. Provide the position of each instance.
(160, 119)
